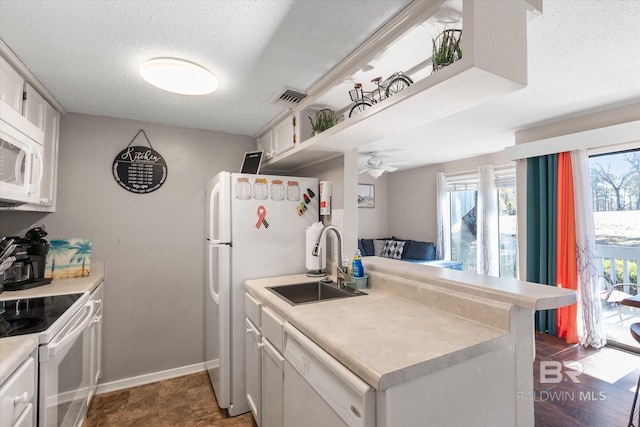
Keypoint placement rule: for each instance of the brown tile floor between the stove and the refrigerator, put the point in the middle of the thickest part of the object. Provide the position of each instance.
(186, 401)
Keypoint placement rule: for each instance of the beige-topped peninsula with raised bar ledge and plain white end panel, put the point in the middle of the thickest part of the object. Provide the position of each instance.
(427, 337)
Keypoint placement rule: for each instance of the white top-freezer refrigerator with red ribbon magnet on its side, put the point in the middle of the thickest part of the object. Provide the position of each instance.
(256, 227)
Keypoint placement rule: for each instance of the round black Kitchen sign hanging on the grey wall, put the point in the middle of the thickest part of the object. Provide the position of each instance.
(139, 169)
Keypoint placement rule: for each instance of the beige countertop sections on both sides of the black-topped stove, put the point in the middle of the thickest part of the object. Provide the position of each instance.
(15, 350)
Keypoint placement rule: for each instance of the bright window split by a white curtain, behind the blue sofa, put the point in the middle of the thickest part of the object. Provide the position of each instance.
(462, 193)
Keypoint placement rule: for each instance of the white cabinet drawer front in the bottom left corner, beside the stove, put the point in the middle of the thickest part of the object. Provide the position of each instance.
(17, 393)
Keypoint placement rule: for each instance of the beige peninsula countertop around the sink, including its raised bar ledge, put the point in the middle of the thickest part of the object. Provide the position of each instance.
(413, 321)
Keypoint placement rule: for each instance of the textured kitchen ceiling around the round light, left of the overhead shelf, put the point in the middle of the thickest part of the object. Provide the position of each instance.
(87, 53)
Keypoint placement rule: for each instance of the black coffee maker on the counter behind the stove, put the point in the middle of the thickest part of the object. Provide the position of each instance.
(30, 252)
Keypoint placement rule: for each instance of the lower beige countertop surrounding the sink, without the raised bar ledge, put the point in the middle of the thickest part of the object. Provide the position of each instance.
(386, 339)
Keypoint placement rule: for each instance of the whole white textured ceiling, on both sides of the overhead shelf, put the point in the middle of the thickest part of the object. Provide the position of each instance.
(583, 56)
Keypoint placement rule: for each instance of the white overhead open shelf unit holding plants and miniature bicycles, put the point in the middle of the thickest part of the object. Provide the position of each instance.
(493, 64)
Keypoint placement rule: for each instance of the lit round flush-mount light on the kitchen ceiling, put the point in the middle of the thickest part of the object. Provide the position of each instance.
(178, 76)
